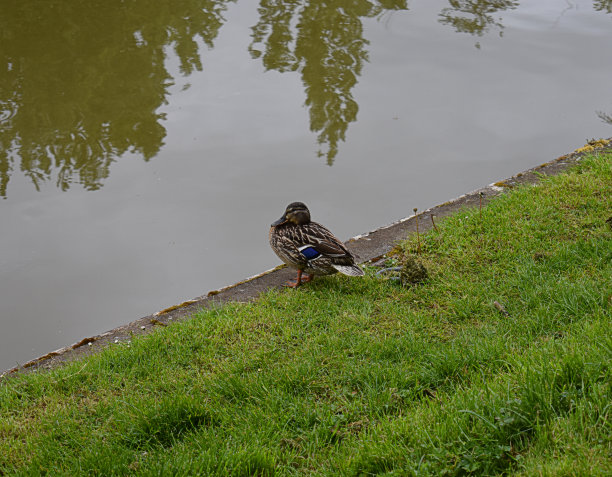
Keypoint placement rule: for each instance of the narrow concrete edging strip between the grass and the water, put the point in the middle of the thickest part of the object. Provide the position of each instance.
(368, 247)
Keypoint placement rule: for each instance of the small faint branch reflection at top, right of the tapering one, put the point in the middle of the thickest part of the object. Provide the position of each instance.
(474, 16)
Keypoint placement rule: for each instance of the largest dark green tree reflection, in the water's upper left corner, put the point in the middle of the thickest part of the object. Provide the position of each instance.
(84, 80)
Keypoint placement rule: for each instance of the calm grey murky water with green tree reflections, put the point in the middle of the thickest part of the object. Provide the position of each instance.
(145, 147)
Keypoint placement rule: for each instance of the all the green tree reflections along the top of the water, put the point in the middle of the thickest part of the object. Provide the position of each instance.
(82, 81)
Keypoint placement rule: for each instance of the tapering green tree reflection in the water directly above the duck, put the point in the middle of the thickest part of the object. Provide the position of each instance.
(327, 47)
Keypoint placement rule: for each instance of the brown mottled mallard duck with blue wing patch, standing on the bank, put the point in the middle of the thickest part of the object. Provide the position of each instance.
(309, 247)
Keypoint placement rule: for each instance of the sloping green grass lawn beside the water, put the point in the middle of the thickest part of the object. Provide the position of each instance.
(362, 376)
